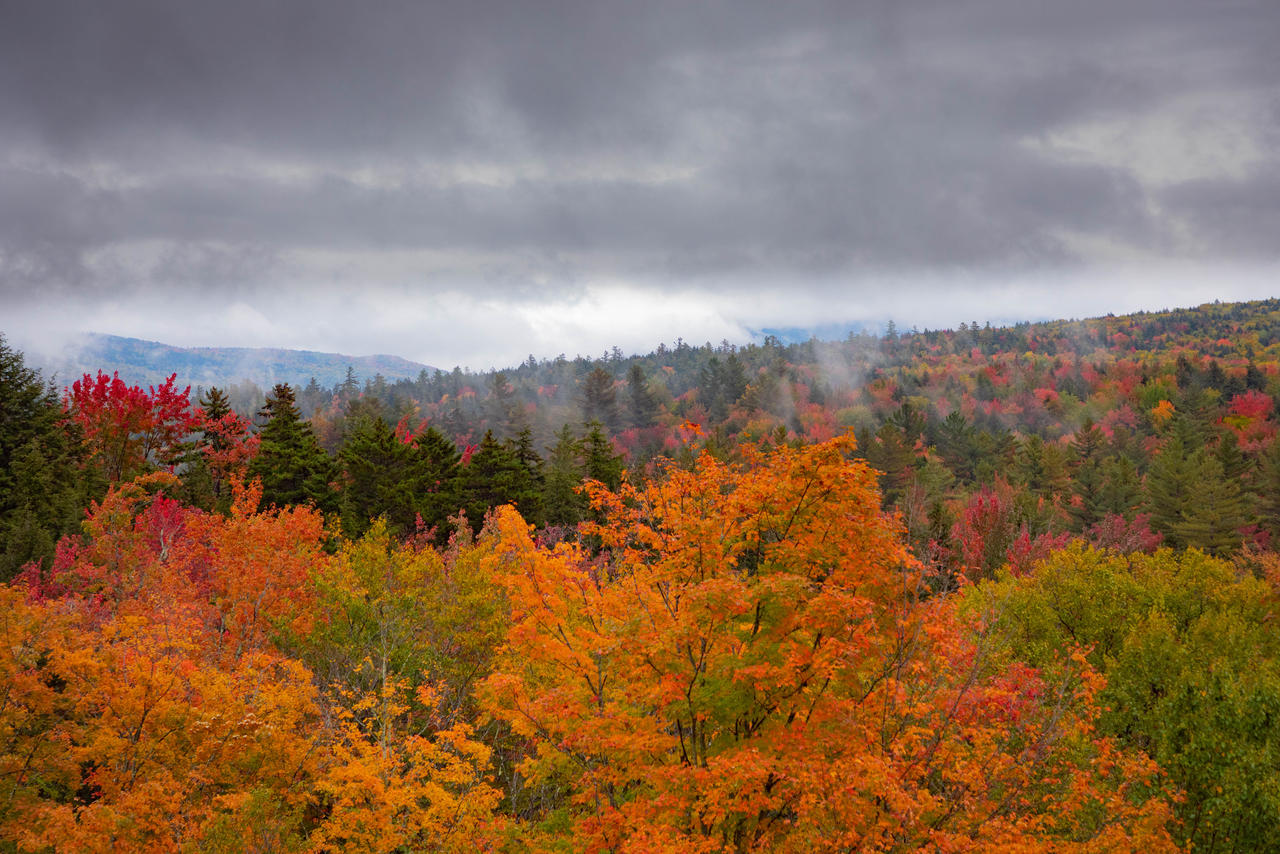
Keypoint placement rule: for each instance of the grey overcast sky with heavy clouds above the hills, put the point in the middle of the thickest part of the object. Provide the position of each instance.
(470, 184)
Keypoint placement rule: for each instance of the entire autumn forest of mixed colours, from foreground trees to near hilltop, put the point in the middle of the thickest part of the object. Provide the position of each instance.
(976, 590)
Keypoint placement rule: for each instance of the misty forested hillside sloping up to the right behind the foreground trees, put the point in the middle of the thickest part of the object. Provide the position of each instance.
(985, 437)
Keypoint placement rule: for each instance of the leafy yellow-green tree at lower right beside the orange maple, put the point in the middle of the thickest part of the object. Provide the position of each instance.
(1194, 673)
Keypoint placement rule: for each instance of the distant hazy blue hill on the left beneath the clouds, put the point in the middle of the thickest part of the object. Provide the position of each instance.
(148, 362)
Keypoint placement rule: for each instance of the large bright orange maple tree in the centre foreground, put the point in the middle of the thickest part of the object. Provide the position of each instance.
(753, 664)
